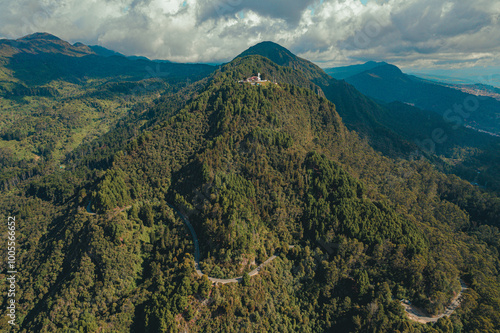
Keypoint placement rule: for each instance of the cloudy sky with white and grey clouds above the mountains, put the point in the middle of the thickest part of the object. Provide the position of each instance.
(414, 34)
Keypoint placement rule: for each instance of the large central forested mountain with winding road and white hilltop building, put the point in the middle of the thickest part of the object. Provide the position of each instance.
(258, 170)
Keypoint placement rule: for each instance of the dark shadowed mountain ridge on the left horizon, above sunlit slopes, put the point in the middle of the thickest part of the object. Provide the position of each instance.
(41, 58)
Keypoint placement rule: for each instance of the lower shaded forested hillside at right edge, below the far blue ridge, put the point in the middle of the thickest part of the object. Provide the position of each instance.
(466, 152)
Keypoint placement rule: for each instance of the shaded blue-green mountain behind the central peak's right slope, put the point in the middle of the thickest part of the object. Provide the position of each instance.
(441, 120)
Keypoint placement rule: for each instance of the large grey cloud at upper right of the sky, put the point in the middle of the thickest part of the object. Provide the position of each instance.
(420, 26)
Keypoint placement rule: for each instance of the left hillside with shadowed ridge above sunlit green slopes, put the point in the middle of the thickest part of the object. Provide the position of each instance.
(54, 96)
